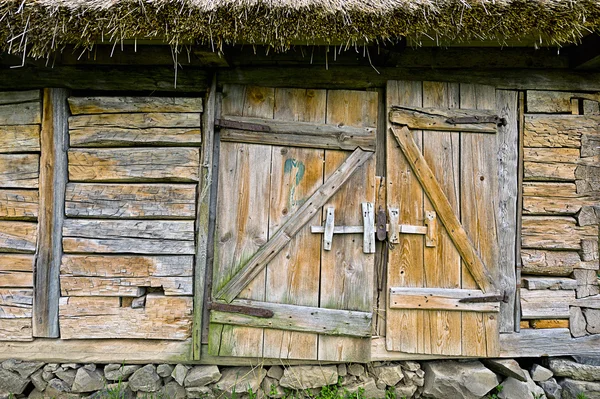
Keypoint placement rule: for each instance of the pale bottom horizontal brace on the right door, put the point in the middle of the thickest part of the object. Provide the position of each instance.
(439, 299)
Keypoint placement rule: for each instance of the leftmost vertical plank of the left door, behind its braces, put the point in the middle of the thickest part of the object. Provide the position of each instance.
(242, 215)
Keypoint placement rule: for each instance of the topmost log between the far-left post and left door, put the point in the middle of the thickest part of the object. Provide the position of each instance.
(113, 104)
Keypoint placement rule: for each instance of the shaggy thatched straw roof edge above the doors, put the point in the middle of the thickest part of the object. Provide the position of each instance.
(43, 26)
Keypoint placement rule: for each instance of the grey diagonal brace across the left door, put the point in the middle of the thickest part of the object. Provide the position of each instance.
(285, 234)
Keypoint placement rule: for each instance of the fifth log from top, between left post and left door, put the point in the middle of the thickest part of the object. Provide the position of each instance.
(130, 201)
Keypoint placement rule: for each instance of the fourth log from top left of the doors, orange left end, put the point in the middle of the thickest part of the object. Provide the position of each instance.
(134, 164)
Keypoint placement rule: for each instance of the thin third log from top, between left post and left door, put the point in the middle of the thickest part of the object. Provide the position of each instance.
(121, 137)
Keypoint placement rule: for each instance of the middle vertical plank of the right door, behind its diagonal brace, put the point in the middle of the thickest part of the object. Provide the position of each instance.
(443, 262)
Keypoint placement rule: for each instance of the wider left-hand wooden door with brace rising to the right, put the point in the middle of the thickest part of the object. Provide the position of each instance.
(285, 156)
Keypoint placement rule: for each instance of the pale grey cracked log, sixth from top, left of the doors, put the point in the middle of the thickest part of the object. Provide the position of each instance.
(128, 236)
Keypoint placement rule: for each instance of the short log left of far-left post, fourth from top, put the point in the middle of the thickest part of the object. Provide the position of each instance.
(19, 170)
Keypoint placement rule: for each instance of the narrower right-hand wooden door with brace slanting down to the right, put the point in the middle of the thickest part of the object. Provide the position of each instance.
(446, 195)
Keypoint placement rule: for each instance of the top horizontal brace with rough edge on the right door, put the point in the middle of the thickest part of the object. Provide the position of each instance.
(444, 119)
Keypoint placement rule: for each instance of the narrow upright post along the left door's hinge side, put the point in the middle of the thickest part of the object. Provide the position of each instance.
(202, 220)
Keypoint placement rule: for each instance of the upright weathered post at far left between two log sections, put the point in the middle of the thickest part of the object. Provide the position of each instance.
(53, 178)
